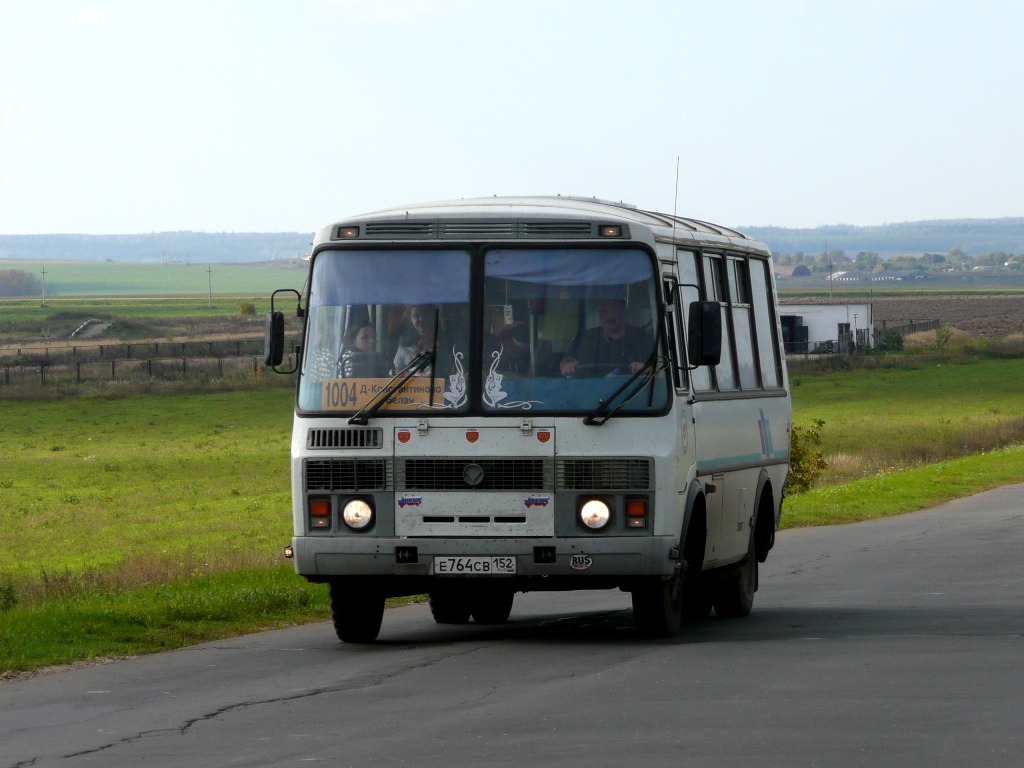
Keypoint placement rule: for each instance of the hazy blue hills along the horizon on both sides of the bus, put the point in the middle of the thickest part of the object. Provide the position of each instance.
(974, 237)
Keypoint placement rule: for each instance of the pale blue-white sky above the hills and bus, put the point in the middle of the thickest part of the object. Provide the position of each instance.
(145, 116)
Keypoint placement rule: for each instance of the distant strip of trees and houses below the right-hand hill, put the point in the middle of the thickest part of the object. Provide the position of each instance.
(870, 263)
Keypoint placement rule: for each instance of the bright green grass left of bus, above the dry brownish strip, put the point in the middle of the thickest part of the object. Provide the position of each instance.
(162, 484)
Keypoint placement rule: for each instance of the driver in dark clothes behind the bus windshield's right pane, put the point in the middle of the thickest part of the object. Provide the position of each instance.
(615, 348)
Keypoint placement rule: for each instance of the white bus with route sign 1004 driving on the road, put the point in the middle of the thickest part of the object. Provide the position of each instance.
(509, 395)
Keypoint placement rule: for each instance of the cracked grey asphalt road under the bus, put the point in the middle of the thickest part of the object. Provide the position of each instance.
(894, 643)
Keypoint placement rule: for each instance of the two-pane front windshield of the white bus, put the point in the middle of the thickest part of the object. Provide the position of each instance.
(554, 330)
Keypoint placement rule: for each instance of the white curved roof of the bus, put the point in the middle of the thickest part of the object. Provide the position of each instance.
(549, 208)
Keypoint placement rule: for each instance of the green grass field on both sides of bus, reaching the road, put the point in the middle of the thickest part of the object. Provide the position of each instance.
(139, 524)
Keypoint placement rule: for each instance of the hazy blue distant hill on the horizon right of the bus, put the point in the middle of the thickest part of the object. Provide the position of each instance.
(974, 237)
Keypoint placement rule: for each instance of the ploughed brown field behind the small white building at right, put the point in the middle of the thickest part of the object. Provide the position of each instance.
(982, 316)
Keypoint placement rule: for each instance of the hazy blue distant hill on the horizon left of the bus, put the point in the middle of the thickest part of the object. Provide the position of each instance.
(164, 248)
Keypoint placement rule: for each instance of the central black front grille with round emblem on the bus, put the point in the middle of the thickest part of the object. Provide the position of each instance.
(498, 475)
